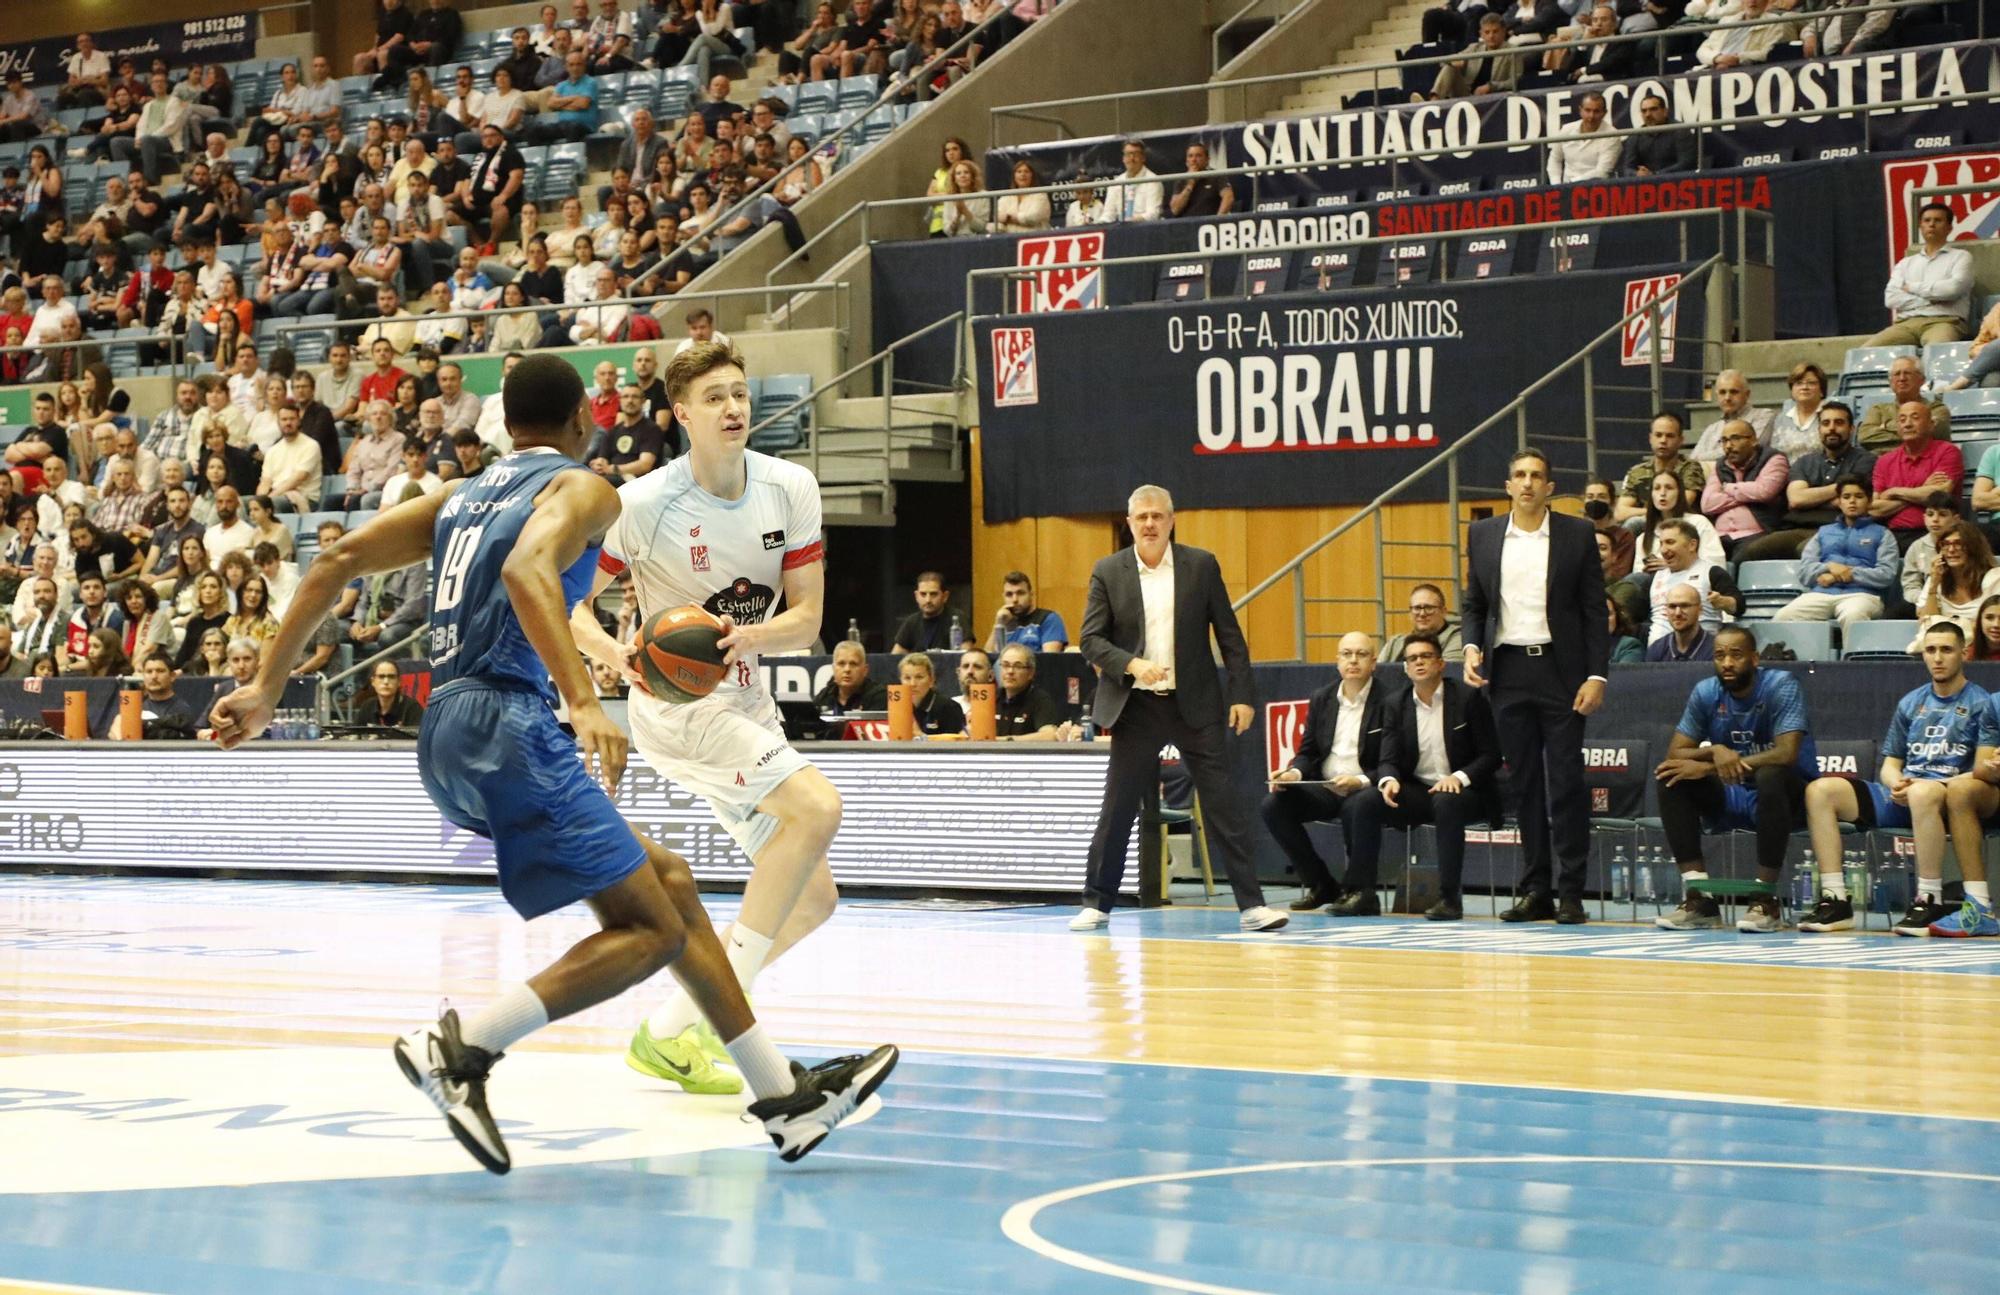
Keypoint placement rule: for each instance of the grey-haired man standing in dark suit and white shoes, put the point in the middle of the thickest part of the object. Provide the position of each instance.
(1147, 631)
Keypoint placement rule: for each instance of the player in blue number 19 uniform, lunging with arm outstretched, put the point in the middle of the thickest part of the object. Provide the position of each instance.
(513, 551)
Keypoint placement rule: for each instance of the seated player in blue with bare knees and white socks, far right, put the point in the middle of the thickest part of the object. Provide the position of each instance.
(1941, 732)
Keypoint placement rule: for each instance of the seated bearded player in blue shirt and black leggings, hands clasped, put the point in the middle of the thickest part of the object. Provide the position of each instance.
(1741, 758)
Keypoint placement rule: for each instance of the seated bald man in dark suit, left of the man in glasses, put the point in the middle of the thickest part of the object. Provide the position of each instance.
(1343, 746)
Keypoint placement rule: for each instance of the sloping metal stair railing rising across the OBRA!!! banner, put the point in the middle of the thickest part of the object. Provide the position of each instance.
(1511, 415)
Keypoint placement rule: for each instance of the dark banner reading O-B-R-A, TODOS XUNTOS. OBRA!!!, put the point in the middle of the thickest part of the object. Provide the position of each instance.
(1293, 401)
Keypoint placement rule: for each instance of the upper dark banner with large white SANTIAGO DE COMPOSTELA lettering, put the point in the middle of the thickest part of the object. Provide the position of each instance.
(1441, 139)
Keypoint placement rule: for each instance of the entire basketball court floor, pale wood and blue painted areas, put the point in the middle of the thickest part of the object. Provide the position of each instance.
(197, 1096)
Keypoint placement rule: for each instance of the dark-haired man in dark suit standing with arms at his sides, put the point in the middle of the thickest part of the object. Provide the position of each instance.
(1535, 629)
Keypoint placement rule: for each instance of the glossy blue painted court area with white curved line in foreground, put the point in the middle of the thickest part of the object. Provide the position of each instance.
(1019, 1176)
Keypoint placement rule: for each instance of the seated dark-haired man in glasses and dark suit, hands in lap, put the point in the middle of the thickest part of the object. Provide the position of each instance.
(1441, 764)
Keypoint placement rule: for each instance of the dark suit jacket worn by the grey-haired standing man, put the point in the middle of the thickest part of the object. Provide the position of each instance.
(1115, 633)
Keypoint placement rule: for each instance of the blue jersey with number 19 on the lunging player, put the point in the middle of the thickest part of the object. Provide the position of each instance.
(473, 625)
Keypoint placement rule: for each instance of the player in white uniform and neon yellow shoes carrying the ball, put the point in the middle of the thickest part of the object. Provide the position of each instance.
(729, 531)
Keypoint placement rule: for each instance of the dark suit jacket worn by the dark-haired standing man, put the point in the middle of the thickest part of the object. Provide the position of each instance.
(1575, 597)
